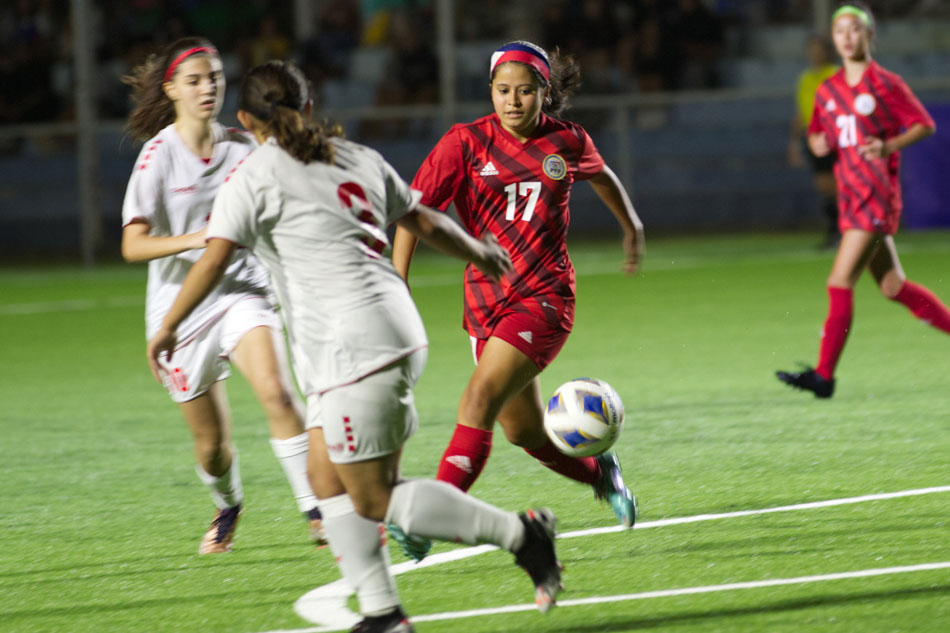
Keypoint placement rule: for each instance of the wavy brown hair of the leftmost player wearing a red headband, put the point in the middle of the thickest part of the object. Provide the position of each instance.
(153, 110)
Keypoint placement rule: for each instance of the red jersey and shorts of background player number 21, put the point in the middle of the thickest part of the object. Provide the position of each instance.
(880, 105)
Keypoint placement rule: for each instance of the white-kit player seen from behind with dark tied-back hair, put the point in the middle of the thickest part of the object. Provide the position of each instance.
(315, 208)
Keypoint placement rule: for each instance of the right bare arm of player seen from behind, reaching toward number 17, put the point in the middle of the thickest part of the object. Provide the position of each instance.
(442, 233)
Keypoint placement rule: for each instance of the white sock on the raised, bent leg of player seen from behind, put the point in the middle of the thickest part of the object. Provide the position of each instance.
(435, 509)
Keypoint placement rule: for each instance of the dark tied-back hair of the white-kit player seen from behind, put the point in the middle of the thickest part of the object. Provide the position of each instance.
(277, 93)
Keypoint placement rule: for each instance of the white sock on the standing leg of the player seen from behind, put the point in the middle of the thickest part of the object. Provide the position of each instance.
(358, 547)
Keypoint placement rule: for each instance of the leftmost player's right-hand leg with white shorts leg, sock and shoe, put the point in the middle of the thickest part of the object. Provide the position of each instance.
(260, 354)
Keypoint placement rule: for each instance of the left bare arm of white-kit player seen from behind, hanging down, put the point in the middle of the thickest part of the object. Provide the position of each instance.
(203, 276)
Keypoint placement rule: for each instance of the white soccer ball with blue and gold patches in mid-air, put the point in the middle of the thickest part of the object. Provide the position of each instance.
(584, 417)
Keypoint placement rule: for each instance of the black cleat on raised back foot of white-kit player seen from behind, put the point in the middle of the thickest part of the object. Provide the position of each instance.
(536, 556)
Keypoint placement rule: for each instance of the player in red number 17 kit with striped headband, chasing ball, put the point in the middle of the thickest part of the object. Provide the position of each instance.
(510, 173)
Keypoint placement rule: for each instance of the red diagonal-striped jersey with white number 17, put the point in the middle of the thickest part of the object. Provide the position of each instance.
(519, 192)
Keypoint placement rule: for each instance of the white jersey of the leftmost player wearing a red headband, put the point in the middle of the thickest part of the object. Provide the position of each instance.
(172, 190)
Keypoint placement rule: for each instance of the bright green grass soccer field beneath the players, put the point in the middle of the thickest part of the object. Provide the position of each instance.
(102, 513)
